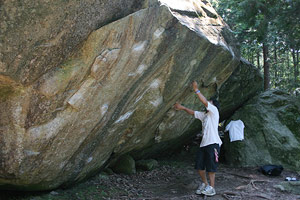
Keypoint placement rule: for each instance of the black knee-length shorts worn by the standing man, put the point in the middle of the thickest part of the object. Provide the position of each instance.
(206, 159)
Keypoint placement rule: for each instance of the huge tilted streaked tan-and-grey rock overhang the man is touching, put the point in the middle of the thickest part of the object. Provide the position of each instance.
(110, 97)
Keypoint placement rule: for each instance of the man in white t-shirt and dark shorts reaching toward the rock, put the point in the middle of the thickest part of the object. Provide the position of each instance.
(207, 156)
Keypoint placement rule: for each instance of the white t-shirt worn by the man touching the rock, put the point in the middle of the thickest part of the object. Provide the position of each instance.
(210, 122)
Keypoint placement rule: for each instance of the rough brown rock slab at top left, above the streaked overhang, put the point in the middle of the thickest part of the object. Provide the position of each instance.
(38, 35)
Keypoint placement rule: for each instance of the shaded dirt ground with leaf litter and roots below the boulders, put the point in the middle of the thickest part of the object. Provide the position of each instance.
(171, 180)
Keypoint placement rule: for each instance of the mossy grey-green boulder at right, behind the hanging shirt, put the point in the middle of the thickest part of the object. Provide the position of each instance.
(272, 133)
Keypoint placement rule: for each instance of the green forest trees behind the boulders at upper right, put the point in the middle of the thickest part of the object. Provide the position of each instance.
(268, 32)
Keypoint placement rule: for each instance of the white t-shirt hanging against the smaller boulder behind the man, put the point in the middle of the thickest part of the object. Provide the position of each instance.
(236, 130)
